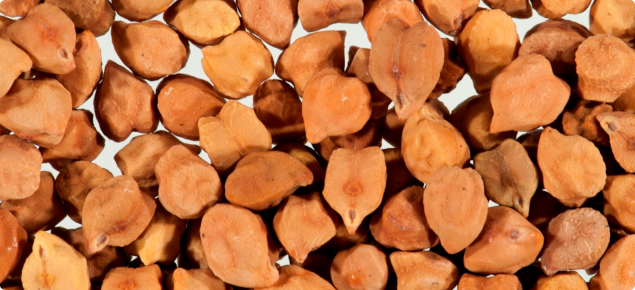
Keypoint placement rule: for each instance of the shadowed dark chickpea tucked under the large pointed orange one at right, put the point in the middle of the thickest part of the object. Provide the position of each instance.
(472, 118)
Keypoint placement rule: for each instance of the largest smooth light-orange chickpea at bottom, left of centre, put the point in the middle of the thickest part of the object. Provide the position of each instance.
(236, 247)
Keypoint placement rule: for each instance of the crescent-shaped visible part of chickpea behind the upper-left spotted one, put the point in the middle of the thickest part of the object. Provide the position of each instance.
(82, 81)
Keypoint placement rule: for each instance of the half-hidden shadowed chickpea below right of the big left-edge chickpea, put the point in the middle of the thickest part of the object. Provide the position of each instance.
(81, 141)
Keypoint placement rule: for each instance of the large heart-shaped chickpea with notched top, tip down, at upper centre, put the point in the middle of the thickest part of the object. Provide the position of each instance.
(398, 55)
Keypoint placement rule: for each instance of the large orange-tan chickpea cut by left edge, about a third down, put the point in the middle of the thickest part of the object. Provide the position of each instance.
(37, 110)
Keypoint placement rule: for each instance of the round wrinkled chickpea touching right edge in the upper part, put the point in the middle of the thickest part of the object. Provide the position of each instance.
(603, 68)
